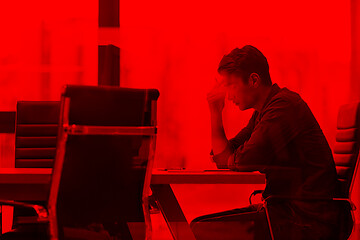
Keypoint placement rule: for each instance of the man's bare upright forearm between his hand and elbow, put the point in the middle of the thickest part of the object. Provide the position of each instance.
(218, 138)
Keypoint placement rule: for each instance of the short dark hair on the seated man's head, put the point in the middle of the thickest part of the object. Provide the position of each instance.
(245, 61)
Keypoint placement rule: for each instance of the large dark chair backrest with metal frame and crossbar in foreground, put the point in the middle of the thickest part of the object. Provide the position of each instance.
(103, 164)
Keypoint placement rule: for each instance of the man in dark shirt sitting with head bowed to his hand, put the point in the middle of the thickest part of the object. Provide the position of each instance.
(282, 134)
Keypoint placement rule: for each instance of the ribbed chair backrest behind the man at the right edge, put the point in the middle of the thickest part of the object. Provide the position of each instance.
(346, 149)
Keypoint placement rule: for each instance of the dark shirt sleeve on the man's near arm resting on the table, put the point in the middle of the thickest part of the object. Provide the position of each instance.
(277, 127)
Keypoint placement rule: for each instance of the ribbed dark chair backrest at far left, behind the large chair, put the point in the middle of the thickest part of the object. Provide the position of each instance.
(35, 133)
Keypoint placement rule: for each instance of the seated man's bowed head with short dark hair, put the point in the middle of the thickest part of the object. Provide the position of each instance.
(245, 73)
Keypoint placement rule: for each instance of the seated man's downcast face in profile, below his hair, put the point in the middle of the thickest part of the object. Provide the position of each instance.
(242, 93)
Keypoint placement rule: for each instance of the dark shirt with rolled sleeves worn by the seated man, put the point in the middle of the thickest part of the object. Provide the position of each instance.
(289, 145)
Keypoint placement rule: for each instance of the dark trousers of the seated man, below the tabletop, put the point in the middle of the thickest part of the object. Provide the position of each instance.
(251, 223)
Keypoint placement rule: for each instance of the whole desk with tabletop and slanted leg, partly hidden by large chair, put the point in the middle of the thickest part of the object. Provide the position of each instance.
(33, 184)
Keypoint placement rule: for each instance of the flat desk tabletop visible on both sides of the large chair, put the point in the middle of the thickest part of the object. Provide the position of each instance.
(43, 176)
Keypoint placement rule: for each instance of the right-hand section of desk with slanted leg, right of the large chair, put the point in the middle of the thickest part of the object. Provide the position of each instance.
(168, 204)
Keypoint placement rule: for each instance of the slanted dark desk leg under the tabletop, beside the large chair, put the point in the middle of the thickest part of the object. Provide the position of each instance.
(170, 208)
